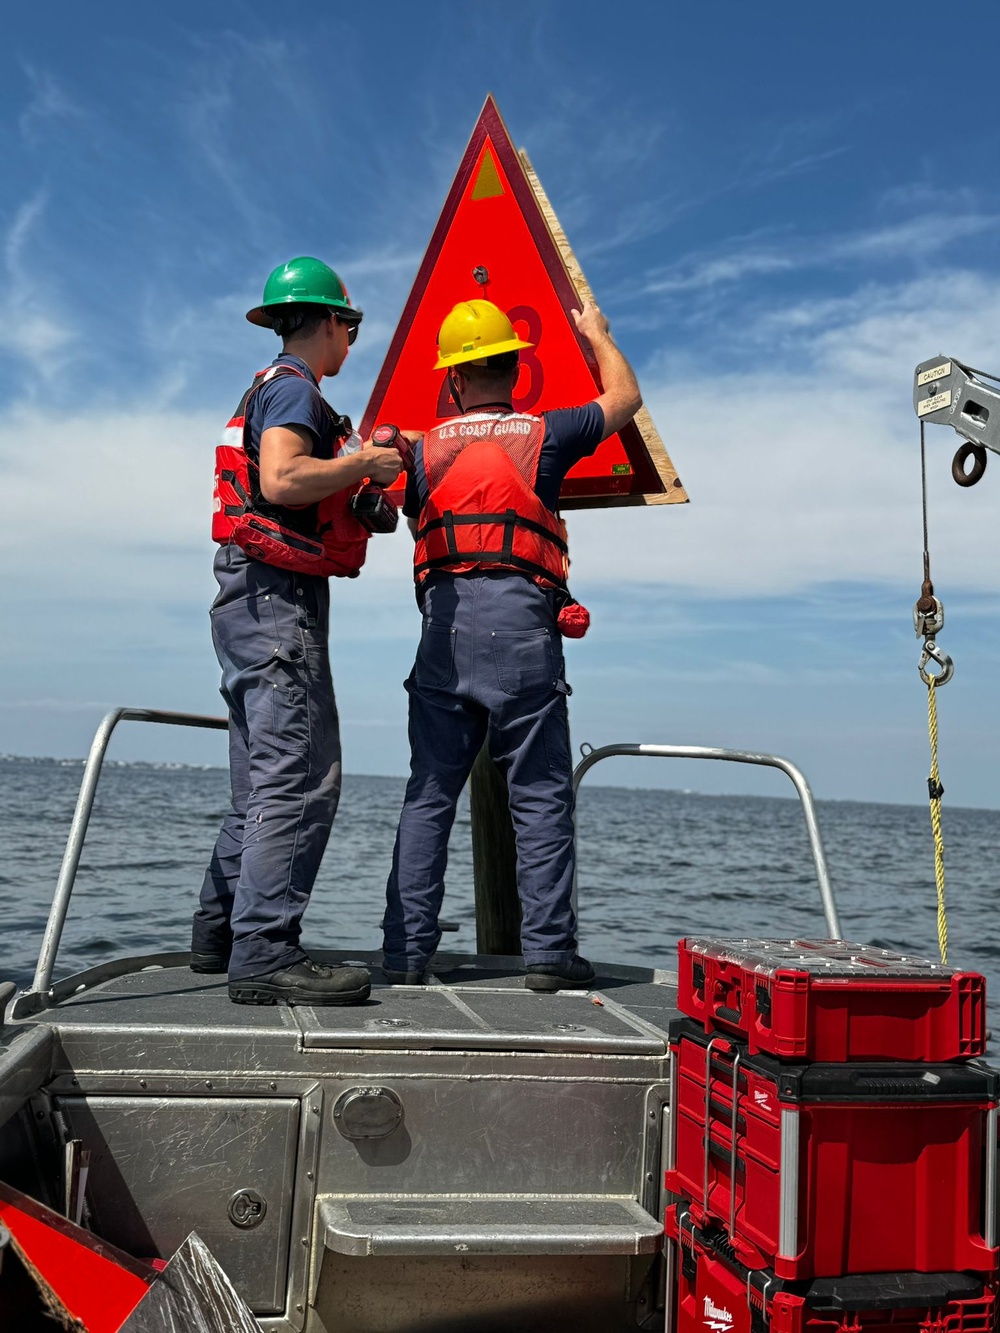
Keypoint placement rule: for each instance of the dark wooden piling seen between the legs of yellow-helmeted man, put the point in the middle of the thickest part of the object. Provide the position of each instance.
(494, 862)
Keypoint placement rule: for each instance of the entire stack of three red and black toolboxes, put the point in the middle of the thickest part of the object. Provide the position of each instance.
(834, 1143)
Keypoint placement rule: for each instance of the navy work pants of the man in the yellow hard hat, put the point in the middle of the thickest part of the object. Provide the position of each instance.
(490, 668)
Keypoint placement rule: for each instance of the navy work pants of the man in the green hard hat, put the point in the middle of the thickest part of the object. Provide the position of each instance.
(271, 637)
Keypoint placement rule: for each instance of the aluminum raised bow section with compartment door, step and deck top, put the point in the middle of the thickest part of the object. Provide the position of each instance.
(466, 1126)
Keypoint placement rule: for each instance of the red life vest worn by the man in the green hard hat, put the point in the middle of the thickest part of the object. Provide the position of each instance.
(318, 539)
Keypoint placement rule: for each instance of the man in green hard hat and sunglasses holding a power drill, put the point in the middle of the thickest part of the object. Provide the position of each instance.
(290, 475)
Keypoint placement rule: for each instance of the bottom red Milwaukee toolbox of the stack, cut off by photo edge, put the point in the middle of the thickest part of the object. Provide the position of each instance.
(710, 1292)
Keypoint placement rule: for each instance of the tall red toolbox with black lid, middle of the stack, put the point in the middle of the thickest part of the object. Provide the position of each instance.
(825, 1170)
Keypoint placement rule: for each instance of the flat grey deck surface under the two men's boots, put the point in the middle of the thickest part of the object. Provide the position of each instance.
(467, 1004)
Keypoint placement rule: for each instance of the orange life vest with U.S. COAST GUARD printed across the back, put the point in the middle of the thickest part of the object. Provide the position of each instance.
(482, 509)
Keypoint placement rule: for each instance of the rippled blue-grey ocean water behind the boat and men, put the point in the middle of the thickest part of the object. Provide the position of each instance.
(654, 866)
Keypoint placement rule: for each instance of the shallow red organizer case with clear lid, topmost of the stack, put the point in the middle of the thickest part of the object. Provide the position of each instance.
(830, 1000)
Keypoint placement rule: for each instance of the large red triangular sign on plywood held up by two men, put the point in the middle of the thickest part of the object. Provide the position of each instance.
(499, 239)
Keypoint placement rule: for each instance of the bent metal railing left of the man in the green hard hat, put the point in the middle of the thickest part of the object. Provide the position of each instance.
(39, 995)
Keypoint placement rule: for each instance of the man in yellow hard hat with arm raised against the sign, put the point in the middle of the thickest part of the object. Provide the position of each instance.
(491, 566)
